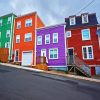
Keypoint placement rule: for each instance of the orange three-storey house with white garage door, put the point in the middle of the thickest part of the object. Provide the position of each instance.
(24, 44)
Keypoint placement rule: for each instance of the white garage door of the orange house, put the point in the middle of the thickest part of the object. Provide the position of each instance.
(26, 58)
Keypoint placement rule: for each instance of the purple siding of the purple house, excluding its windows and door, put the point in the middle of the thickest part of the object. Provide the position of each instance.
(61, 61)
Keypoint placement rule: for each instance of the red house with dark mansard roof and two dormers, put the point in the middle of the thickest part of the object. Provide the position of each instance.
(83, 42)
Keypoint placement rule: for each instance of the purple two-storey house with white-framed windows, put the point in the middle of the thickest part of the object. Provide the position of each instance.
(51, 43)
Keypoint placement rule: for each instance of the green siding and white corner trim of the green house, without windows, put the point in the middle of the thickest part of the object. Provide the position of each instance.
(3, 29)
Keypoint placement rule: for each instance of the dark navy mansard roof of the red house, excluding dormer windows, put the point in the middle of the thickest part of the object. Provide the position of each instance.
(91, 18)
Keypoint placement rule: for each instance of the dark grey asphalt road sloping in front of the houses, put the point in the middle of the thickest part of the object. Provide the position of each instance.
(18, 84)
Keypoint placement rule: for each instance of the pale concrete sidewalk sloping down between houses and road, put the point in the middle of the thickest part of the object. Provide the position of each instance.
(53, 73)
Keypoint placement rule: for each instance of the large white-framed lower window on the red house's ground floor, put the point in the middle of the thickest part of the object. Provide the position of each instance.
(87, 52)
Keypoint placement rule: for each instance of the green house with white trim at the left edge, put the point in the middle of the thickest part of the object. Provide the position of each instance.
(6, 32)
